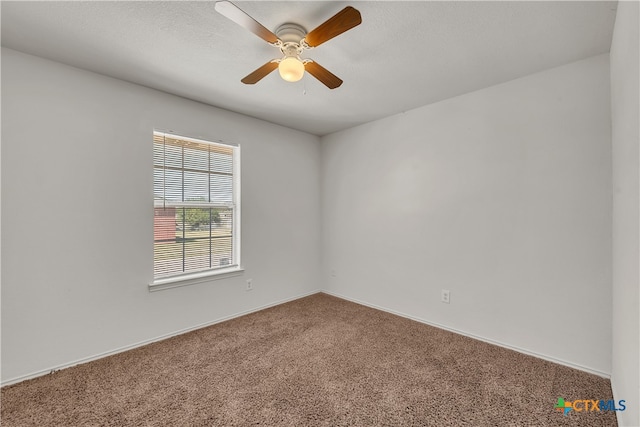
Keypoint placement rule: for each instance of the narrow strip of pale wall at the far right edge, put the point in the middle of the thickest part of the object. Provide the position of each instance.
(625, 111)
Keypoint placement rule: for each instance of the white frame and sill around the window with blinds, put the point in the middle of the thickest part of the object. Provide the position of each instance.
(236, 269)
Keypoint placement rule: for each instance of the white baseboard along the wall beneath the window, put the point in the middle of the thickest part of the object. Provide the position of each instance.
(149, 341)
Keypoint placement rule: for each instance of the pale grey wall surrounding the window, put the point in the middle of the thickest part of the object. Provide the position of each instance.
(77, 208)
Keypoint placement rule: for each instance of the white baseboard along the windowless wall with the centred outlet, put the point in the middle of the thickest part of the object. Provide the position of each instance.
(487, 340)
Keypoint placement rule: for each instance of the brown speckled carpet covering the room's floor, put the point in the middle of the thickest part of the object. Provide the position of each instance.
(316, 361)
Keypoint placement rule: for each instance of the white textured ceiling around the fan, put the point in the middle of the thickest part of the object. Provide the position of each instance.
(403, 55)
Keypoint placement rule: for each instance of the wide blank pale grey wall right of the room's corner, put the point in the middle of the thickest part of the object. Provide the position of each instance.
(502, 196)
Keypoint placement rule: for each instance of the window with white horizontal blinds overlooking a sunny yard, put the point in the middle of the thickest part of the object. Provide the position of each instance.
(196, 207)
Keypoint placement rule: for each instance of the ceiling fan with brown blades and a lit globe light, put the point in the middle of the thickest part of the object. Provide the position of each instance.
(292, 40)
